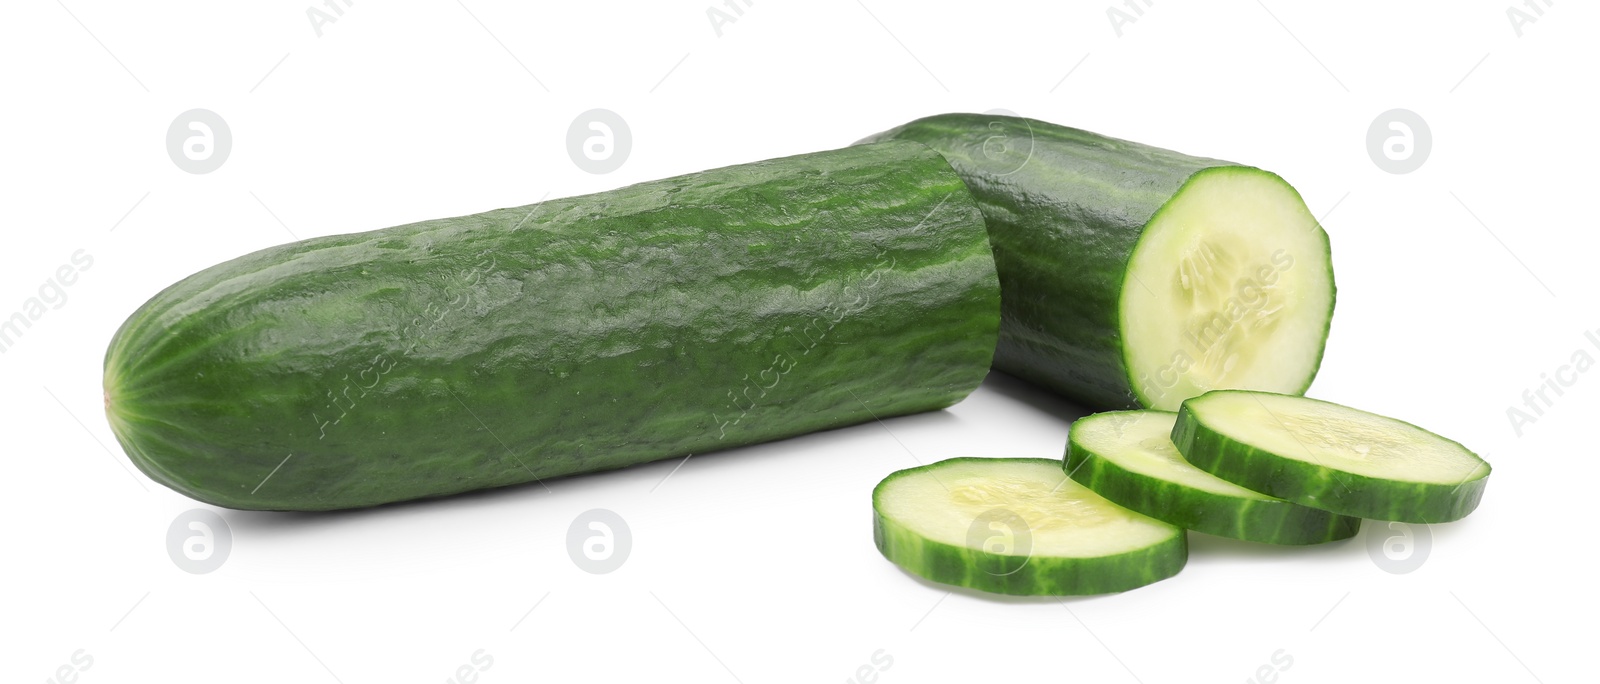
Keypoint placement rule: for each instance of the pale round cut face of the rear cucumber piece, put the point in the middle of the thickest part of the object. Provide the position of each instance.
(1228, 288)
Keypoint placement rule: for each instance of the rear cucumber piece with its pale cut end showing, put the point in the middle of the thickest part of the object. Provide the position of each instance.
(1138, 277)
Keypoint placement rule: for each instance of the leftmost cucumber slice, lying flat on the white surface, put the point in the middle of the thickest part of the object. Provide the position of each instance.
(1018, 527)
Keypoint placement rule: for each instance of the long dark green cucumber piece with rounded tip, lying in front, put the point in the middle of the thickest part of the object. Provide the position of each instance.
(666, 319)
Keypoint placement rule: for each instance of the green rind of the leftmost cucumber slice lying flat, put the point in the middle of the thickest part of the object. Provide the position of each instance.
(1038, 576)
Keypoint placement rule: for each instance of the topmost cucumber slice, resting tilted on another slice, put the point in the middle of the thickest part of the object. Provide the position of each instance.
(1332, 458)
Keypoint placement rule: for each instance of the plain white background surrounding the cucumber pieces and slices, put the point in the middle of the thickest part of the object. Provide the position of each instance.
(1460, 285)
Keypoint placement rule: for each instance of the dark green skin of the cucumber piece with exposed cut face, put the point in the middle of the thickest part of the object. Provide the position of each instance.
(1065, 212)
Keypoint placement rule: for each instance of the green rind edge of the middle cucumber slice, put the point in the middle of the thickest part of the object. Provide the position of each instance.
(1250, 520)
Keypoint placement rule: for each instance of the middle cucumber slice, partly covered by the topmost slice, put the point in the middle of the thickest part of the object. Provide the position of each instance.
(1129, 458)
